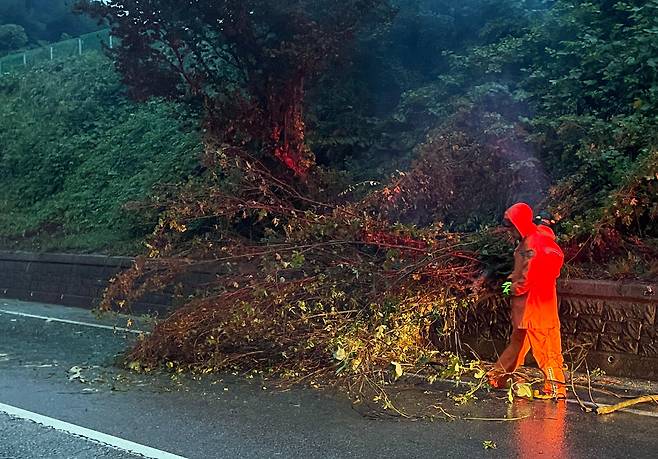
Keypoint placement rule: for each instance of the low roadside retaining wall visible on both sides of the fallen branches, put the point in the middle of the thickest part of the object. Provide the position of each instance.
(612, 325)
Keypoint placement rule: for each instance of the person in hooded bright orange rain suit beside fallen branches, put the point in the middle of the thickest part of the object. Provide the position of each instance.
(538, 261)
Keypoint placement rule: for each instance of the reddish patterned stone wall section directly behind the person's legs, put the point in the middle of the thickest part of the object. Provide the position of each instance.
(612, 324)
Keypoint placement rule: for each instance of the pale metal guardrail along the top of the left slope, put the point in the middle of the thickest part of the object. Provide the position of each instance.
(62, 49)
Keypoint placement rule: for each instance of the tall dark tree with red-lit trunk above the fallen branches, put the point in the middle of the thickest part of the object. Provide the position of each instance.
(249, 61)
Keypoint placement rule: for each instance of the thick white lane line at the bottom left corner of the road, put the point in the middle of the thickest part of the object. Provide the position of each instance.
(98, 437)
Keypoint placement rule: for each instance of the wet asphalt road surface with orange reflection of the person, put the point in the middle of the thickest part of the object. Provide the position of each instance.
(65, 371)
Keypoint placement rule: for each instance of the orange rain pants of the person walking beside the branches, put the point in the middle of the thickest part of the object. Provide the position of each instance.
(546, 349)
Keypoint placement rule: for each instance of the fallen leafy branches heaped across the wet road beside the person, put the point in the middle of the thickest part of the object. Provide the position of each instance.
(304, 288)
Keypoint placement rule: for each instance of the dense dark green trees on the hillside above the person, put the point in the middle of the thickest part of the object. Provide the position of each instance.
(569, 87)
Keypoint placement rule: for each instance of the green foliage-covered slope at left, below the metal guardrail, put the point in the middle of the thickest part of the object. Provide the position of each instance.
(74, 150)
